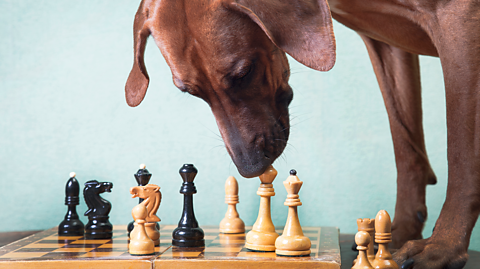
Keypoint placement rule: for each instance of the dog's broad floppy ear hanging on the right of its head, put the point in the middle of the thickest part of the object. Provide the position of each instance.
(301, 28)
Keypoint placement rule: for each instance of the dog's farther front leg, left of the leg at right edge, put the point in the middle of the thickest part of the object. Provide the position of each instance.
(398, 75)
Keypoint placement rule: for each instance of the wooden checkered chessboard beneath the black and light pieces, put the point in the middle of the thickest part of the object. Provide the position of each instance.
(49, 250)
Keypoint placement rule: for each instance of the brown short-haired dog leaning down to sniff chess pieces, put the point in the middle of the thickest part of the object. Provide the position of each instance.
(231, 53)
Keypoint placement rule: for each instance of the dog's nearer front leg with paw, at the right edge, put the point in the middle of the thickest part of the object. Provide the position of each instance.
(455, 34)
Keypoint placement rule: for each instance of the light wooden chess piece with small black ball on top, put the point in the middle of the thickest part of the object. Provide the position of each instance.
(292, 242)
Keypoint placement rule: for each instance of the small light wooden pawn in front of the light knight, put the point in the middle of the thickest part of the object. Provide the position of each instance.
(140, 243)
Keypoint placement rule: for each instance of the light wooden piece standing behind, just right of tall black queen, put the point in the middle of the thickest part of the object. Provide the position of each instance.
(231, 224)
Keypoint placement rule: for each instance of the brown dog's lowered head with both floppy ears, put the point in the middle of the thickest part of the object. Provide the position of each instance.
(231, 54)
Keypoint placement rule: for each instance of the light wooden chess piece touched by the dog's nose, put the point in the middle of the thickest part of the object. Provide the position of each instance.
(262, 236)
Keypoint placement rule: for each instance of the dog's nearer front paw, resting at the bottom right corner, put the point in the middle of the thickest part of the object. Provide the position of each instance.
(431, 254)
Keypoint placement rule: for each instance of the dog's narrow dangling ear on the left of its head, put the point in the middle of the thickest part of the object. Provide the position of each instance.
(137, 82)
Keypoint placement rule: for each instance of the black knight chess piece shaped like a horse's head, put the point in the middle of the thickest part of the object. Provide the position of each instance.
(98, 226)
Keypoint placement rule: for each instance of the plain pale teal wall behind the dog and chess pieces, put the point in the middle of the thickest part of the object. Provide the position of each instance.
(63, 65)
